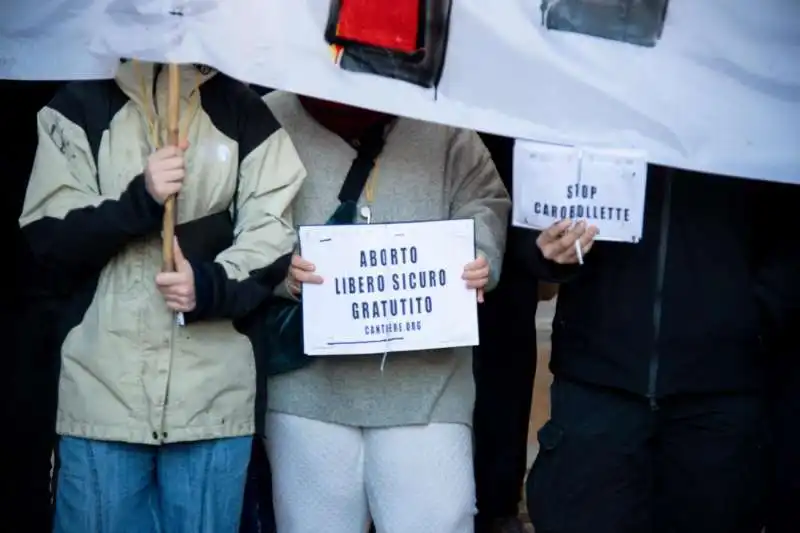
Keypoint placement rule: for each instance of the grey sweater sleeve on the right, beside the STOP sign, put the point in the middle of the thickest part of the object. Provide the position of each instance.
(477, 192)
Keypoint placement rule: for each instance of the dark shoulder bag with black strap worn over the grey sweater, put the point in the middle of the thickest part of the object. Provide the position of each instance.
(276, 328)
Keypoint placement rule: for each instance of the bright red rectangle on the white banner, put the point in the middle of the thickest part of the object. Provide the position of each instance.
(391, 24)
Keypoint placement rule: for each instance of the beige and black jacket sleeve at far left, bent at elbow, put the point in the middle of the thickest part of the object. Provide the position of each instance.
(70, 226)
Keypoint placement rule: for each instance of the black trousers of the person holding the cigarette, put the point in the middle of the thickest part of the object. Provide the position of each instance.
(608, 463)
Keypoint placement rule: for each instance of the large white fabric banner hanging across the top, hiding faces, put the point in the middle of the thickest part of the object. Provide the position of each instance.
(720, 92)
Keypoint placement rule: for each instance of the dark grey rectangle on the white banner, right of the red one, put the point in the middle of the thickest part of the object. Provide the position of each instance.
(637, 22)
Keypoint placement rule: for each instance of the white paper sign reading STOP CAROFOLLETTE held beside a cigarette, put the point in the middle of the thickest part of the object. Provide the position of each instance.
(603, 187)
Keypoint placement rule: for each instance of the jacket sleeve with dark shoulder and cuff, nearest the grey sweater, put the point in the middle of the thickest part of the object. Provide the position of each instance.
(271, 174)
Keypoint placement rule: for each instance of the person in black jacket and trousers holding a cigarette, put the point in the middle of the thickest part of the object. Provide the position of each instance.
(658, 420)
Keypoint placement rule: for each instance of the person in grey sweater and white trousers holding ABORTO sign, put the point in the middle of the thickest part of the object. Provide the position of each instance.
(348, 440)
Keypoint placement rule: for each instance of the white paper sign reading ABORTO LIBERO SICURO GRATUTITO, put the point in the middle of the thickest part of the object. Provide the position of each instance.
(389, 287)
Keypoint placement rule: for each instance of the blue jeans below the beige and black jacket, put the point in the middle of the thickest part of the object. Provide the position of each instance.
(114, 487)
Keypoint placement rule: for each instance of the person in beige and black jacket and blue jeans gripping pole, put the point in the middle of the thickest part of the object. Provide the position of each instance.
(156, 420)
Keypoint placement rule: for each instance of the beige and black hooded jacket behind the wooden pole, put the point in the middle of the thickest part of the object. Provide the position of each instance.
(128, 372)
